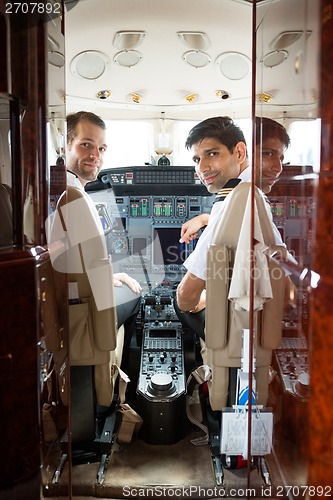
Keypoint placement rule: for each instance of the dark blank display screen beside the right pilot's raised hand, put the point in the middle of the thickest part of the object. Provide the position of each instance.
(166, 249)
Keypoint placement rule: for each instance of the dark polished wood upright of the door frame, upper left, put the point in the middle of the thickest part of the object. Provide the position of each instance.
(29, 82)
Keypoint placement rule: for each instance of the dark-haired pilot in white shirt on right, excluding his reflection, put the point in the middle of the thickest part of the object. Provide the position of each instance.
(221, 162)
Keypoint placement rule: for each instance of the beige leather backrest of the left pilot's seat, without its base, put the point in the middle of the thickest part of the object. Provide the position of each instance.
(78, 248)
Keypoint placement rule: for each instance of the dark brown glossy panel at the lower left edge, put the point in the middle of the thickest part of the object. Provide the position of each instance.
(19, 395)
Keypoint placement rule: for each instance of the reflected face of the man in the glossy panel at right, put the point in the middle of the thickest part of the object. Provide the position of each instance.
(269, 160)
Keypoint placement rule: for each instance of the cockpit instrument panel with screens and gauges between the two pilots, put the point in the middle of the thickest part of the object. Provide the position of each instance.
(143, 231)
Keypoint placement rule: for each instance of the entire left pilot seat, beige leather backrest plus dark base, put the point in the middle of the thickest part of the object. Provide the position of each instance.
(77, 247)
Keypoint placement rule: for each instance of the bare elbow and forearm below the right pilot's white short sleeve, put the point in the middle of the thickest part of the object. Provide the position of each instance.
(191, 294)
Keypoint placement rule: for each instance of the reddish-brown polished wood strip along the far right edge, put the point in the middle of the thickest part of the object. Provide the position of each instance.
(320, 414)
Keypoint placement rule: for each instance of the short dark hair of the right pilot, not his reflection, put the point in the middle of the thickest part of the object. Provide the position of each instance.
(221, 128)
